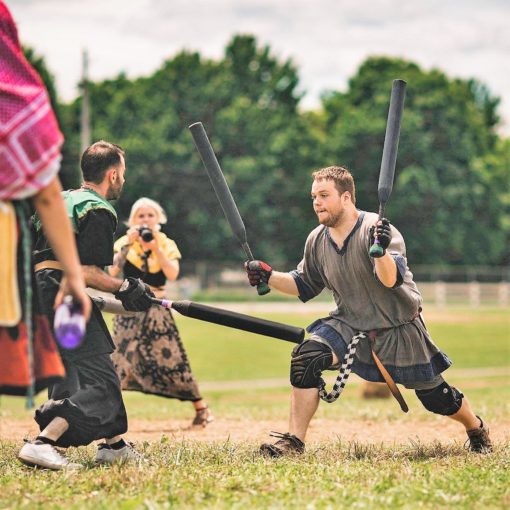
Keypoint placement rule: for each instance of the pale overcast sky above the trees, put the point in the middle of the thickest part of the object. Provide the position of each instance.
(326, 39)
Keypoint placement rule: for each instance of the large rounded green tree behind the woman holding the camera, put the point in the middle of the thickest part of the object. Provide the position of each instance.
(248, 104)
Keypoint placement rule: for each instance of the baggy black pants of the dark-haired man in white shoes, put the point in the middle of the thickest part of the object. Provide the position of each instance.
(89, 399)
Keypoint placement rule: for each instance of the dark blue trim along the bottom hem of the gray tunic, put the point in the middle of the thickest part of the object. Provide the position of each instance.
(413, 373)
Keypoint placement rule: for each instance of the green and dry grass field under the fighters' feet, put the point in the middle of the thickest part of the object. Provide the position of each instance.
(355, 471)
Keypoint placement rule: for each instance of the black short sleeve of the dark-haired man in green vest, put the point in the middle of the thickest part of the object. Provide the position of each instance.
(95, 238)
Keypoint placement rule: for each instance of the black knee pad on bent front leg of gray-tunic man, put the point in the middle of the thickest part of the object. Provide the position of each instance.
(309, 359)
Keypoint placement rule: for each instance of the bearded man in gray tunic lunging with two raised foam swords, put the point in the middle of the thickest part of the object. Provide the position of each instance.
(376, 295)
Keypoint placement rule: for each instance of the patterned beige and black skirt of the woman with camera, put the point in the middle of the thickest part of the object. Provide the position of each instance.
(150, 356)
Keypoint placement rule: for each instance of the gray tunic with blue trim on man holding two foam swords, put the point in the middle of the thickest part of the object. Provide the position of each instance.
(363, 303)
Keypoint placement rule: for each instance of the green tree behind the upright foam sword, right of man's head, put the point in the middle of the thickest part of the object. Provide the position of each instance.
(448, 125)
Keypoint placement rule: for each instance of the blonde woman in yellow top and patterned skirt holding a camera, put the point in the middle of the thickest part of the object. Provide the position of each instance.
(150, 356)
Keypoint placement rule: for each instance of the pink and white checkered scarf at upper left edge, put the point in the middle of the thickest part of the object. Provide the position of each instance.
(30, 139)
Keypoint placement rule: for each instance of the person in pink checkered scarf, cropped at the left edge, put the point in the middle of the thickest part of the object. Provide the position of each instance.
(30, 143)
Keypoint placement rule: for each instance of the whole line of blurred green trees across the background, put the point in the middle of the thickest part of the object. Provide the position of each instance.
(451, 197)
